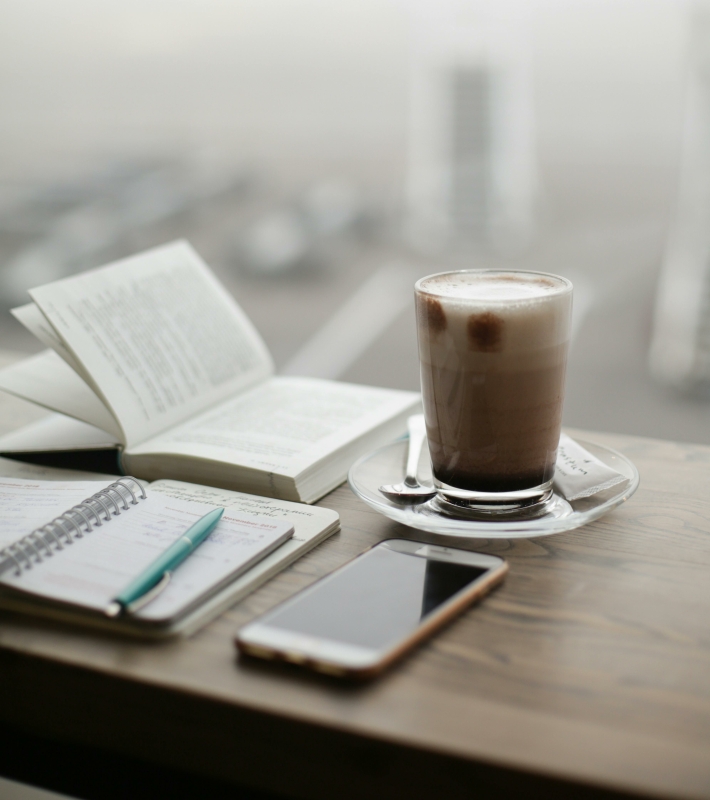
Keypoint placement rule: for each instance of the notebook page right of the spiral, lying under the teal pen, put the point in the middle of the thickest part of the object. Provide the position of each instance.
(94, 569)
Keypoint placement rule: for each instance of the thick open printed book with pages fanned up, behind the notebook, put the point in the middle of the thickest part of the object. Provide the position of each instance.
(153, 356)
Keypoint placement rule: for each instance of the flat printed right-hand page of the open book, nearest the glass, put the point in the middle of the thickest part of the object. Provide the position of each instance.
(283, 425)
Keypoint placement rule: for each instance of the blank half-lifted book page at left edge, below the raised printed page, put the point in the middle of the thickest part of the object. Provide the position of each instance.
(46, 380)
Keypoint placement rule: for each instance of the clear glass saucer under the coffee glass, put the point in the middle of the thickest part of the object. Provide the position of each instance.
(387, 465)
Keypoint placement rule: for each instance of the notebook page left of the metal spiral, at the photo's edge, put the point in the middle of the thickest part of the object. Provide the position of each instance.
(27, 504)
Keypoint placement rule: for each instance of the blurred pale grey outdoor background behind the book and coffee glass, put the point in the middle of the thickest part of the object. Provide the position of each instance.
(322, 156)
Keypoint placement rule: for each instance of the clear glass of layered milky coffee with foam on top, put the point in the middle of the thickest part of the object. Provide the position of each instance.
(493, 354)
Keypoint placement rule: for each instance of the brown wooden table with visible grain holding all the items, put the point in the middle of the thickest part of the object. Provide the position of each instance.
(586, 674)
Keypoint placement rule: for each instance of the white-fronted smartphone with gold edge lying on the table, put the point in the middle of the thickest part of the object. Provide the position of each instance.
(362, 617)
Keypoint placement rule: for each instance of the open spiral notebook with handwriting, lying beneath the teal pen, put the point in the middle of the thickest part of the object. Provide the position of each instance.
(71, 564)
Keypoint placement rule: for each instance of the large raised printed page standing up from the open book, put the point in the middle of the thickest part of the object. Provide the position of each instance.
(160, 337)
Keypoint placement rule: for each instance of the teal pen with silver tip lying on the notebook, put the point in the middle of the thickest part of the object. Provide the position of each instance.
(157, 574)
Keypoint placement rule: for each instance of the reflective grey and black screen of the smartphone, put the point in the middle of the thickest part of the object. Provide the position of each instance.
(376, 600)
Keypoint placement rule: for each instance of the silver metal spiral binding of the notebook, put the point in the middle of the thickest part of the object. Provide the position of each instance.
(73, 524)
